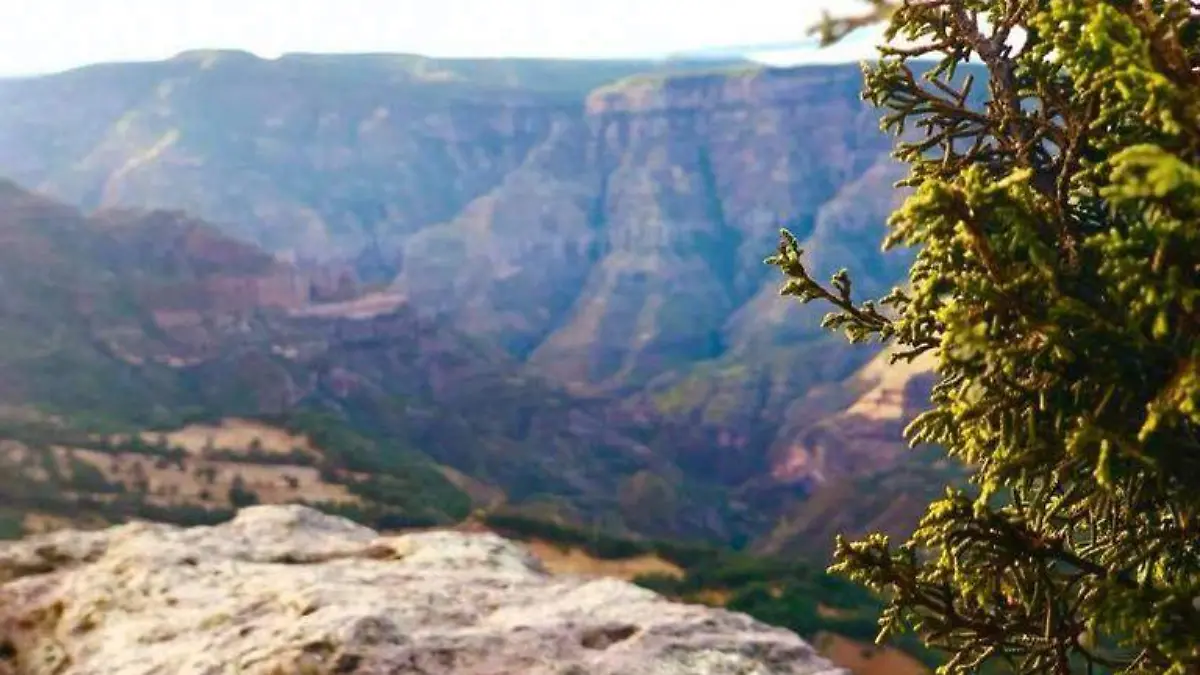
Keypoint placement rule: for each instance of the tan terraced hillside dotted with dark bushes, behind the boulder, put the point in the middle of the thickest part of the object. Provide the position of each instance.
(175, 477)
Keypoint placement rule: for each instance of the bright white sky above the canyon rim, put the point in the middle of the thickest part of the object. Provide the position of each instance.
(50, 35)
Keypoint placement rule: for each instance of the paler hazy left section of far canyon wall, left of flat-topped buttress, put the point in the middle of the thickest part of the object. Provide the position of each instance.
(315, 156)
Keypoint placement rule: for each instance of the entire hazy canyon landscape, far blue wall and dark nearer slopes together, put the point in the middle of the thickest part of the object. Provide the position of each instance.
(543, 278)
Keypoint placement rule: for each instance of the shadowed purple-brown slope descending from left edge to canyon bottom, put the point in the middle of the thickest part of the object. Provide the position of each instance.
(134, 320)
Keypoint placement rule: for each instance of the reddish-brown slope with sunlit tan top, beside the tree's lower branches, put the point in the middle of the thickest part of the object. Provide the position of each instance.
(845, 443)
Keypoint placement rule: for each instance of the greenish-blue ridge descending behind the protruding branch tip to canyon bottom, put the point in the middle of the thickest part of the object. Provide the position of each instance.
(727, 415)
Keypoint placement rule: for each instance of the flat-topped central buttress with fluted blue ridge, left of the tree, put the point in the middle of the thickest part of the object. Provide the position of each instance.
(700, 175)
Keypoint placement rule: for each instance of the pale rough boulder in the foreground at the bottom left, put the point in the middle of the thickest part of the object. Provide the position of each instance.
(289, 590)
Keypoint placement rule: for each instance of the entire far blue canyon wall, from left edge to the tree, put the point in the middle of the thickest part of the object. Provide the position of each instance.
(610, 226)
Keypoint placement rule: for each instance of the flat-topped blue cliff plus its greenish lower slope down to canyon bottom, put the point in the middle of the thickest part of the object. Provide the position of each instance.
(625, 256)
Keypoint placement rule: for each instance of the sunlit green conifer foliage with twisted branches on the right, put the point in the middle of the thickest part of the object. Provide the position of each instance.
(1058, 284)
